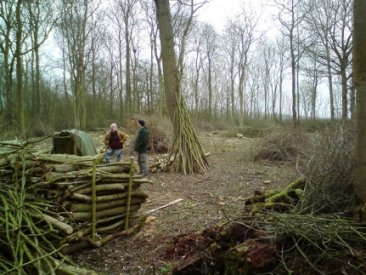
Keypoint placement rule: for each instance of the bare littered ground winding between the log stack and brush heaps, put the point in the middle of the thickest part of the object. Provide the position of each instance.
(208, 200)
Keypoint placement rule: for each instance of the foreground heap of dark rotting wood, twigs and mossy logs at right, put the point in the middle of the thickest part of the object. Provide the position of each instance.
(267, 241)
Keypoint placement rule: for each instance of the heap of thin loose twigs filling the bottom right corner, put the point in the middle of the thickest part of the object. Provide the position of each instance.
(316, 244)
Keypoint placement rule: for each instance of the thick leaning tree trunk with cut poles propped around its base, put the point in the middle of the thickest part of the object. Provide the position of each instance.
(189, 155)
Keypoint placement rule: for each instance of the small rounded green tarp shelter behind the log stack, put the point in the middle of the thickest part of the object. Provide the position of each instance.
(73, 142)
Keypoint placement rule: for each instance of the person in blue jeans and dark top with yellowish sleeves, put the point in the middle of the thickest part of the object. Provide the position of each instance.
(114, 140)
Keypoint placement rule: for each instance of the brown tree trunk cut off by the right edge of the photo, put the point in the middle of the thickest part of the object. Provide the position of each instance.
(359, 69)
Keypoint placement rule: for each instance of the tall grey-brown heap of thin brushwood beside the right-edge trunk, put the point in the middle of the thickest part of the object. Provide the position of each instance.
(327, 167)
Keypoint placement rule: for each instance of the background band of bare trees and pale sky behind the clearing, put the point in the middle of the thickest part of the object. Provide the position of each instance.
(83, 63)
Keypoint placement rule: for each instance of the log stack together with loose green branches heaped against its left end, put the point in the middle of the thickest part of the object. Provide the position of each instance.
(73, 201)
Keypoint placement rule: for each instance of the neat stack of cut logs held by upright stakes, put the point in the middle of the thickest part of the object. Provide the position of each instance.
(86, 202)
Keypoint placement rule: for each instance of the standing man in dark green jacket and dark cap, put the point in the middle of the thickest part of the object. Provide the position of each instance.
(141, 147)
